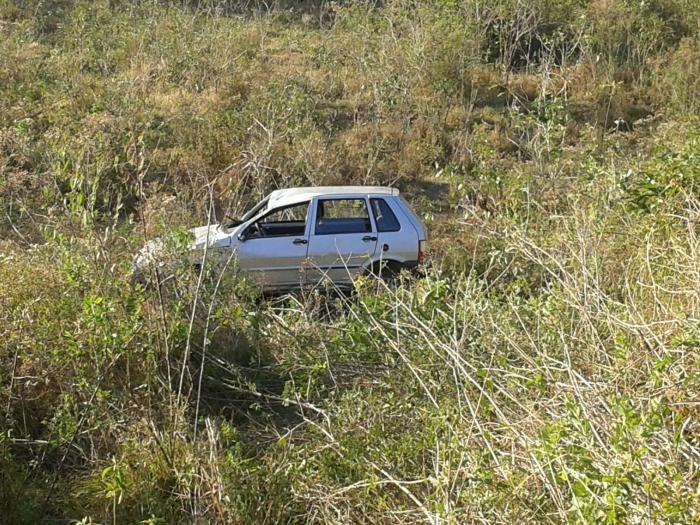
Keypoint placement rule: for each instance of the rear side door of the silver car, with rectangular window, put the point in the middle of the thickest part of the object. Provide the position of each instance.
(343, 238)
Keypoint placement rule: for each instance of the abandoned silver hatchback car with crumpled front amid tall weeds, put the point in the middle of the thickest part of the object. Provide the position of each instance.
(299, 237)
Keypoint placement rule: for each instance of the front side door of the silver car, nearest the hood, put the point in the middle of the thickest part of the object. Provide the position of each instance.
(272, 248)
